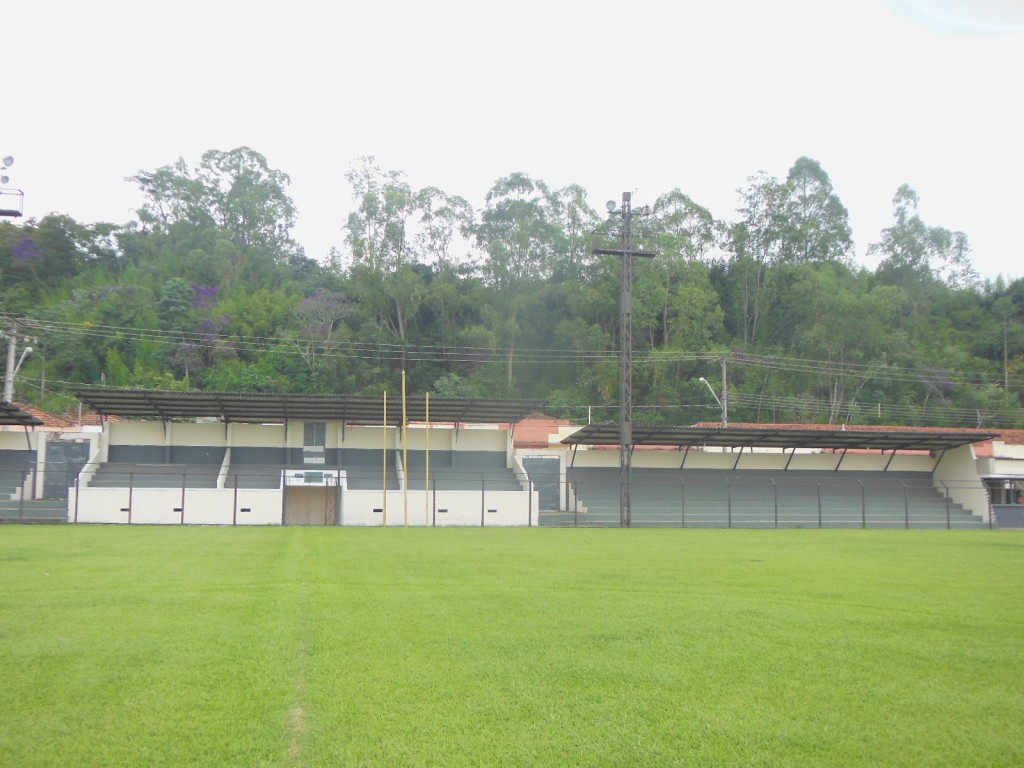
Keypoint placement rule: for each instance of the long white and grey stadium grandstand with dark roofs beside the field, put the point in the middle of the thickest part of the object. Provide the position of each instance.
(231, 459)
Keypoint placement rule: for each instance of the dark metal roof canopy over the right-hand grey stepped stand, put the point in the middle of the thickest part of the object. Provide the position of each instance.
(782, 438)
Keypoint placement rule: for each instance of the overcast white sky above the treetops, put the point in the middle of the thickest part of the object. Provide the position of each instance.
(614, 97)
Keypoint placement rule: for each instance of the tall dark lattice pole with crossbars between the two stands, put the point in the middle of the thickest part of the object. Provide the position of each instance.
(627, 252)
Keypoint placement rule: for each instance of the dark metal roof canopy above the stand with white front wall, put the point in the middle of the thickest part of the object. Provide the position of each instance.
(255, 408)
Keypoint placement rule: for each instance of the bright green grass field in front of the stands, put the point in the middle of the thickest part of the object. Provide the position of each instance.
(182, 647)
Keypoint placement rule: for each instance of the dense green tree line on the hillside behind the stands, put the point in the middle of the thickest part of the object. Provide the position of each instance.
(208, 290)
